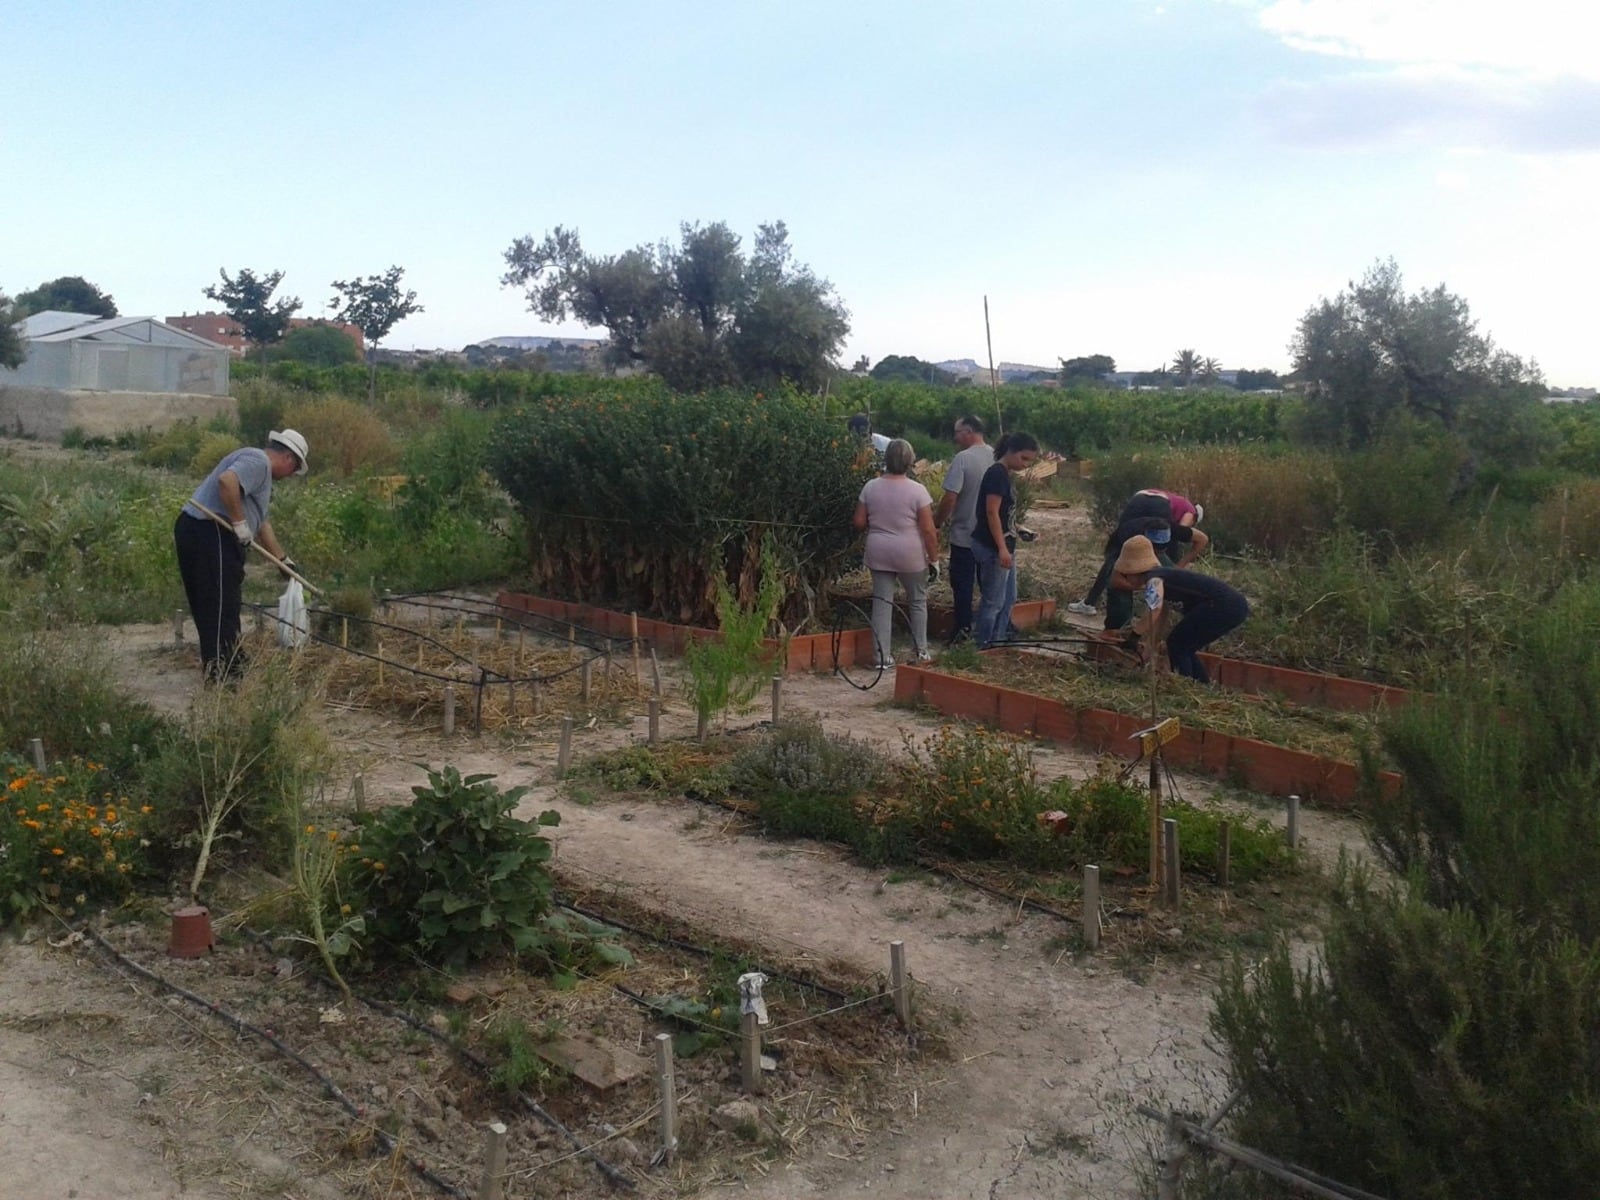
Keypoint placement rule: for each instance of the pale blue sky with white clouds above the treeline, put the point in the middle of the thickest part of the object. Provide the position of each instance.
(1116, 177)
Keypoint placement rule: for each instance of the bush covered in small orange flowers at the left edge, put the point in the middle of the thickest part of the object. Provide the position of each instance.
(65, 839)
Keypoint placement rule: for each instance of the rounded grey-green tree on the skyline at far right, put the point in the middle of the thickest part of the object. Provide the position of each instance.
(1375, 354)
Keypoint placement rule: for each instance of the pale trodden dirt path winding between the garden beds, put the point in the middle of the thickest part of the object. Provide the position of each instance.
(1050, 1054)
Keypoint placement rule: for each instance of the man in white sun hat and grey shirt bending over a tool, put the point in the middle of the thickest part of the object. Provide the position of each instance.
(212, 558)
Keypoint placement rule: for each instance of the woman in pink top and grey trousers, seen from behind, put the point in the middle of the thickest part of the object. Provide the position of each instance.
(897, 513)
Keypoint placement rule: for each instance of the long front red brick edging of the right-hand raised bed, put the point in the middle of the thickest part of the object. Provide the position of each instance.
(1258, 766)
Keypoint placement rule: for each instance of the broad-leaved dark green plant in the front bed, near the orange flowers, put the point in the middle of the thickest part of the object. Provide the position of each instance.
(454, 878)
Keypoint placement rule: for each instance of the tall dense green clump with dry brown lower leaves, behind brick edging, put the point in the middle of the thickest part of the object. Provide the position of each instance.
(647, 500)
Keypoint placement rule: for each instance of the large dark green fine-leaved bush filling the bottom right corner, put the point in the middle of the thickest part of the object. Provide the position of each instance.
(1447, 1041)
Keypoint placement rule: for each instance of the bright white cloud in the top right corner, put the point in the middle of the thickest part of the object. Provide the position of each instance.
(1532, 38)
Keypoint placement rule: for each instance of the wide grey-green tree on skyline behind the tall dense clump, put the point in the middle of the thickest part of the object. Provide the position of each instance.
(698, 314)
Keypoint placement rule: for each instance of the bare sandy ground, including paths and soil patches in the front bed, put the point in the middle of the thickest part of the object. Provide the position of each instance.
(110, 1090)
